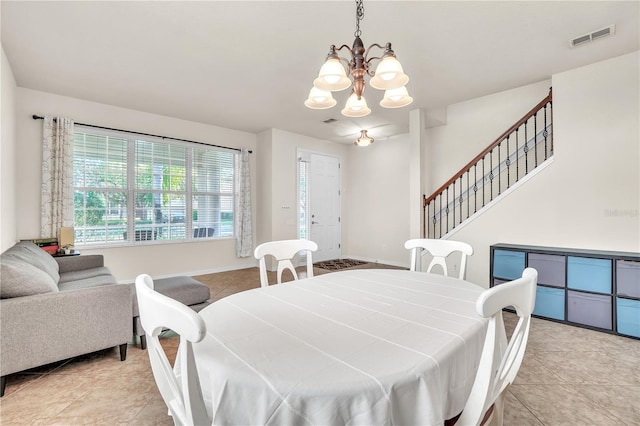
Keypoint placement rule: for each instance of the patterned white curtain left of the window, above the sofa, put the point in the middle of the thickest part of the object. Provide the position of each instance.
(57, 176)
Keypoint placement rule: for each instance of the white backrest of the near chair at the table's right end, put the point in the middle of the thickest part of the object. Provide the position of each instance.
(499, 366)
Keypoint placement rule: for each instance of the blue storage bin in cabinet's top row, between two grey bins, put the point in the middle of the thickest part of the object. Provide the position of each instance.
(589, 274)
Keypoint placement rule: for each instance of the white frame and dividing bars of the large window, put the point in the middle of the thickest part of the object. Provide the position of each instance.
(131, 191)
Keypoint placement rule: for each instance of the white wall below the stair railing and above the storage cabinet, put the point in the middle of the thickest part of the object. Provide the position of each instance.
(589, 197)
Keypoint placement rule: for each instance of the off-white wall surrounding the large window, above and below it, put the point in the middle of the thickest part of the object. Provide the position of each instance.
(125, 262)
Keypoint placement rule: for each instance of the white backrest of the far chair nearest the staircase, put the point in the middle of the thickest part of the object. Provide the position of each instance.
(439, 249)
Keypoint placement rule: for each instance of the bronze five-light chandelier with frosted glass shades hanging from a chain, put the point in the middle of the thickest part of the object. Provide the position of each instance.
(388, 76)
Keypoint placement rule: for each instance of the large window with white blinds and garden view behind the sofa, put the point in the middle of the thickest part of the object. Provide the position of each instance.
(134, 189)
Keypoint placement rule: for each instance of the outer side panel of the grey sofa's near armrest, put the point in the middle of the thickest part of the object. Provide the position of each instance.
(45, 328)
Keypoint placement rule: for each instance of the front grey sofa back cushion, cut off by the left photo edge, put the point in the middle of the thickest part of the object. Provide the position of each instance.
(23, 279)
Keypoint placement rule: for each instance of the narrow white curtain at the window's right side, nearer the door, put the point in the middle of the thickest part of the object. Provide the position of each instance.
(242, 222)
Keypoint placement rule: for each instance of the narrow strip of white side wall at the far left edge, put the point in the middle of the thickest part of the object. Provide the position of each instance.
(8, 216)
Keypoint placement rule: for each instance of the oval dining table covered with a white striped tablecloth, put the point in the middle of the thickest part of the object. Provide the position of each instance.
(357, 347)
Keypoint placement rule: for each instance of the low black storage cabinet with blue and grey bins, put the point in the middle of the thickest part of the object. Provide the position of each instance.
(599, 290)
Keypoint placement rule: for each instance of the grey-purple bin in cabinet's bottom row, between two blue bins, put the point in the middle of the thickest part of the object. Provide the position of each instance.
(589, 309)
